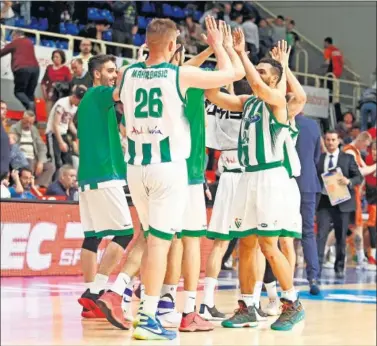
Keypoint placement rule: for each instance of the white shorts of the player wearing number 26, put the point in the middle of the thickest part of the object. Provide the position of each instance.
(159, 192)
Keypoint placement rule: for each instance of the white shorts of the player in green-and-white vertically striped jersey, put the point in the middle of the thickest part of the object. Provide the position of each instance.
(264, 205)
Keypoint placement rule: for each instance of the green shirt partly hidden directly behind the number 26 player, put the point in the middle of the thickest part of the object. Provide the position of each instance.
(195, 113)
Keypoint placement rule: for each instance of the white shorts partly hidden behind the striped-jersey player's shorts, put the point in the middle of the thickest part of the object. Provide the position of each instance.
(221, 218)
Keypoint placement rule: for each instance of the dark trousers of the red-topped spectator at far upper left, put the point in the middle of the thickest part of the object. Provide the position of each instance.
(25, 83)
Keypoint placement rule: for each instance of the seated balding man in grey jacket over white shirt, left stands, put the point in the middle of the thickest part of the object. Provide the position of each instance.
(34, 149)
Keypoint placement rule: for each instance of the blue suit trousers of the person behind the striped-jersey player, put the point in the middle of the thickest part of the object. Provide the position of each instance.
(308, 241)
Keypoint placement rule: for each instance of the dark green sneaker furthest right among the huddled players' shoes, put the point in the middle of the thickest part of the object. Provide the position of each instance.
(292, 313)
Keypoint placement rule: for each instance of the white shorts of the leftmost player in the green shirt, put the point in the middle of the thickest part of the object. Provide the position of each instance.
(104, 211)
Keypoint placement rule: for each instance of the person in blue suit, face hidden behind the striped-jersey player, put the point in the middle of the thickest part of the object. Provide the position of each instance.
(308, 148)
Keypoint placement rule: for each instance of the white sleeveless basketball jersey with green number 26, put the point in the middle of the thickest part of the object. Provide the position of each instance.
(157, 130)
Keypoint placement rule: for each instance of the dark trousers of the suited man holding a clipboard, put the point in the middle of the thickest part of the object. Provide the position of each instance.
(325, 214)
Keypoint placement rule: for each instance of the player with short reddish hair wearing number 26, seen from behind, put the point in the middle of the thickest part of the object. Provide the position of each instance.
(158, 145)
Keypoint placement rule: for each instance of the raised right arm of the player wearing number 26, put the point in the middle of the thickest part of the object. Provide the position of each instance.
(194, 77)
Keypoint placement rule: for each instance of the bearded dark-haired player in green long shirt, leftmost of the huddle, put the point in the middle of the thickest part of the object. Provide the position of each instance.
(103, 206)
